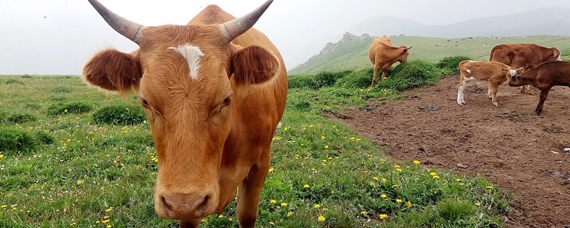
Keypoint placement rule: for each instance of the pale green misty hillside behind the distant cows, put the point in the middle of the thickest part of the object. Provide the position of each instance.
(353, 55)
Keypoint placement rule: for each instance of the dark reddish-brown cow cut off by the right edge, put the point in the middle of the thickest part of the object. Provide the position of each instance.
(543, 77)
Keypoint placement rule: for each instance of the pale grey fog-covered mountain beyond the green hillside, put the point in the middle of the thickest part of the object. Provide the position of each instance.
(545, 21)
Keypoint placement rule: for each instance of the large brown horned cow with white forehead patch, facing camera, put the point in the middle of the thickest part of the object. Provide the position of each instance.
(214, 91)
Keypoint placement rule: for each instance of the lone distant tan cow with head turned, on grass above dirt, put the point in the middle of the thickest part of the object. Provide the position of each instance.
(382, 54)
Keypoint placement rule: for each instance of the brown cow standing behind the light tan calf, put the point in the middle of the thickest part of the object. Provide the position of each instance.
(526, 56)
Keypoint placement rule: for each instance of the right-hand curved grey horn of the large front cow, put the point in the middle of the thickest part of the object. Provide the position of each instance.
(236, 27)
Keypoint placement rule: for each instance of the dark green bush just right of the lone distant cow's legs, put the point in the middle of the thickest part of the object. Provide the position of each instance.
(410, 75)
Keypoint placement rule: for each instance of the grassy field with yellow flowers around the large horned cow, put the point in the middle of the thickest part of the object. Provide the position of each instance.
(60, 166)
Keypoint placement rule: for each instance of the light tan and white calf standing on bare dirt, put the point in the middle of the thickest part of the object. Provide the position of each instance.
(495, 72)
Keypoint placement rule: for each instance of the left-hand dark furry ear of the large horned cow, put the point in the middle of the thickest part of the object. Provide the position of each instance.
(113, 70)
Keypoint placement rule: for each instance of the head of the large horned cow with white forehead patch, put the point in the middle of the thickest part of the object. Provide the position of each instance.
(185, 77)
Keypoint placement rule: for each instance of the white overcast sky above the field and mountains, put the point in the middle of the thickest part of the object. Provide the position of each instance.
(59, 36)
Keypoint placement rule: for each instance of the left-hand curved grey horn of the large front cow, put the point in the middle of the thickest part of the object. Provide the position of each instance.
(127, 28)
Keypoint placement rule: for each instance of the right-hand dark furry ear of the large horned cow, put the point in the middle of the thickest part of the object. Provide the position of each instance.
(253, 65)
